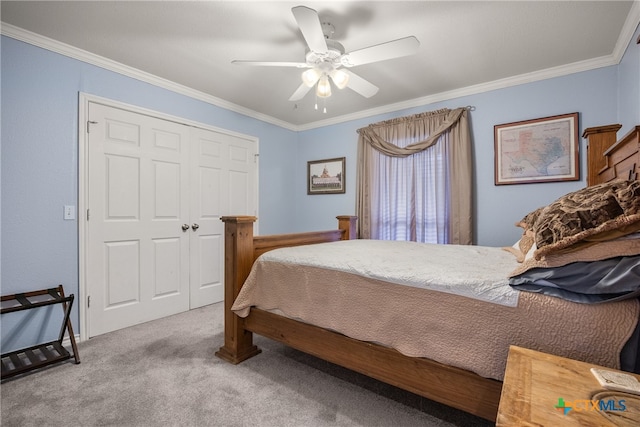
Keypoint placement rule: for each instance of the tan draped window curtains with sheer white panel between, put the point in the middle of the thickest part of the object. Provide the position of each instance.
(414, 178)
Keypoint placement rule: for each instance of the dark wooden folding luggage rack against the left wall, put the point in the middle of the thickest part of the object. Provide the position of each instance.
(30, 358)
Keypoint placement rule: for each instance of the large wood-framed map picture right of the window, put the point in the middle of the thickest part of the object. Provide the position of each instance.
(540, 150)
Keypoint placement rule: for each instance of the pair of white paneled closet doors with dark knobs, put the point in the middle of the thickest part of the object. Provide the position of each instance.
(157, 189)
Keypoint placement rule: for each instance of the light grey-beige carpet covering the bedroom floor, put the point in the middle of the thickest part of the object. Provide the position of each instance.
(164, 373)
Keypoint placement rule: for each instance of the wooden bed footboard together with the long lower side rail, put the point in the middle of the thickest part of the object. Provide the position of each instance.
(445, 384)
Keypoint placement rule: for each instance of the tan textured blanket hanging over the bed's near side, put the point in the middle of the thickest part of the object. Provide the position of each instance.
(451, 329)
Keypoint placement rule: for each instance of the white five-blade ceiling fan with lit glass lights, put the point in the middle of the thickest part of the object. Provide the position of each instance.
(326, 58)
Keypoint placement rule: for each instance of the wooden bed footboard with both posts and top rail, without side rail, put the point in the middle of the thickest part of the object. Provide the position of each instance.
(241, 249)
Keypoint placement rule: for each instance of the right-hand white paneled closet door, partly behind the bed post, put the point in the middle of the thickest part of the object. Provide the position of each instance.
(223, 183)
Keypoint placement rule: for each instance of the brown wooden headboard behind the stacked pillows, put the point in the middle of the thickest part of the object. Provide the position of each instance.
(608, 159)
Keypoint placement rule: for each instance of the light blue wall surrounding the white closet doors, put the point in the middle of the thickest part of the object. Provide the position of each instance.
(40, 159)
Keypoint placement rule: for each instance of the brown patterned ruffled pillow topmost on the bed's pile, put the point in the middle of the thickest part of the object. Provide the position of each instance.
(607, 209)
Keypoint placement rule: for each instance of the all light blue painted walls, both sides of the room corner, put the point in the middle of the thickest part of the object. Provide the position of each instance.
(39, 175)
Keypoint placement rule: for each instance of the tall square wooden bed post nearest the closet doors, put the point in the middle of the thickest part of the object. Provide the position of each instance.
(238, 259)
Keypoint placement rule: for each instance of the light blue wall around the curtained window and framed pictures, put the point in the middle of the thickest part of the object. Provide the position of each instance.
(602, 96)
